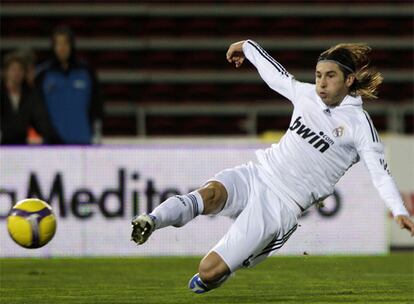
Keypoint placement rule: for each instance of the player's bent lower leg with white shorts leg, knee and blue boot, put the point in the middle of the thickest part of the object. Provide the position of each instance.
(261, 229)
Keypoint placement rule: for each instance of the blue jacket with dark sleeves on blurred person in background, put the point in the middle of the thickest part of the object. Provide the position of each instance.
(71, 99)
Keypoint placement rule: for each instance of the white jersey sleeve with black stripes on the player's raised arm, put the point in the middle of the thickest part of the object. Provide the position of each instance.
(271, 71)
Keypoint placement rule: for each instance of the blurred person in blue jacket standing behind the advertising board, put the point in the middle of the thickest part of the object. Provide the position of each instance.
(69, 89)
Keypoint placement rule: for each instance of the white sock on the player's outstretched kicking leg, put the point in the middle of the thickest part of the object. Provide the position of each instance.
(178, 210)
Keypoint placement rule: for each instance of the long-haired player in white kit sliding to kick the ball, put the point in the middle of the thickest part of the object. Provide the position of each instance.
(328, 133)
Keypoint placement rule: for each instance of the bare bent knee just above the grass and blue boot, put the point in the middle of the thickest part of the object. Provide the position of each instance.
(212, 268)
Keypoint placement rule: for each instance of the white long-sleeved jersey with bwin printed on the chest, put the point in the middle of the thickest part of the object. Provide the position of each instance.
(322, 142)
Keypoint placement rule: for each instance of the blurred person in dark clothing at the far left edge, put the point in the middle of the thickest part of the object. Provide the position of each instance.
(20, 107)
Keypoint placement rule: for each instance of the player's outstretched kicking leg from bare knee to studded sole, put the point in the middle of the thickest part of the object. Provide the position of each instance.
(178, 210)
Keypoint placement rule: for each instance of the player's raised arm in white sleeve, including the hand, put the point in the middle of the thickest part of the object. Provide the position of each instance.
(271, 71)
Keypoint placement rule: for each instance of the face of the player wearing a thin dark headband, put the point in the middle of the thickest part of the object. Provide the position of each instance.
(330, 83)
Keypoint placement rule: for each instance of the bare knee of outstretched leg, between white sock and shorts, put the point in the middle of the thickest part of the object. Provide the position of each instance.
(214, 196)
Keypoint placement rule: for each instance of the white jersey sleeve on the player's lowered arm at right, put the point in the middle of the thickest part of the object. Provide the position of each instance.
(371, 150)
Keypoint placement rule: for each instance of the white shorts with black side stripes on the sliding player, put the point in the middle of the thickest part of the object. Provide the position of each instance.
(263, 222)
